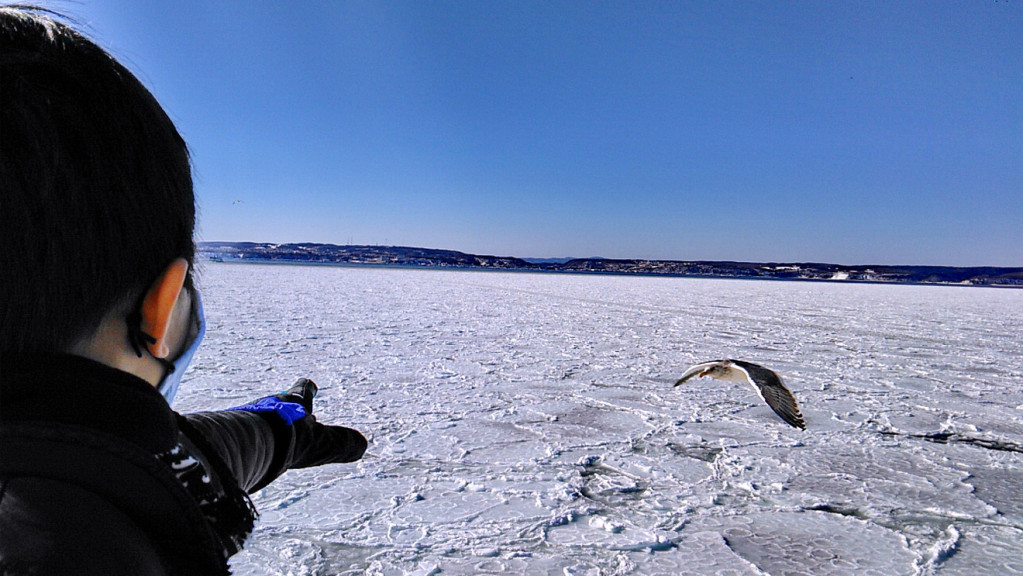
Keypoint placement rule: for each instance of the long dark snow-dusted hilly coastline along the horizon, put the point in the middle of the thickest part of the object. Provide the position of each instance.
(431, 258)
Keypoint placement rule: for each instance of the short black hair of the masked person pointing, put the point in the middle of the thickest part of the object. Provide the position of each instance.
(96, 186)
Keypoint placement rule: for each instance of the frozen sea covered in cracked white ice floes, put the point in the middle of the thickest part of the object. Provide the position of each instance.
(526, 424)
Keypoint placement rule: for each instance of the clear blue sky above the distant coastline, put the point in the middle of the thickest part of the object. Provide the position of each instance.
(848, 132)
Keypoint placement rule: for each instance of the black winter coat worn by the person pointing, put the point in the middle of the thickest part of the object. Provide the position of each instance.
(100, 476)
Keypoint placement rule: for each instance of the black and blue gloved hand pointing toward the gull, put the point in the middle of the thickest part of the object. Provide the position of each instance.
(308, 442)
